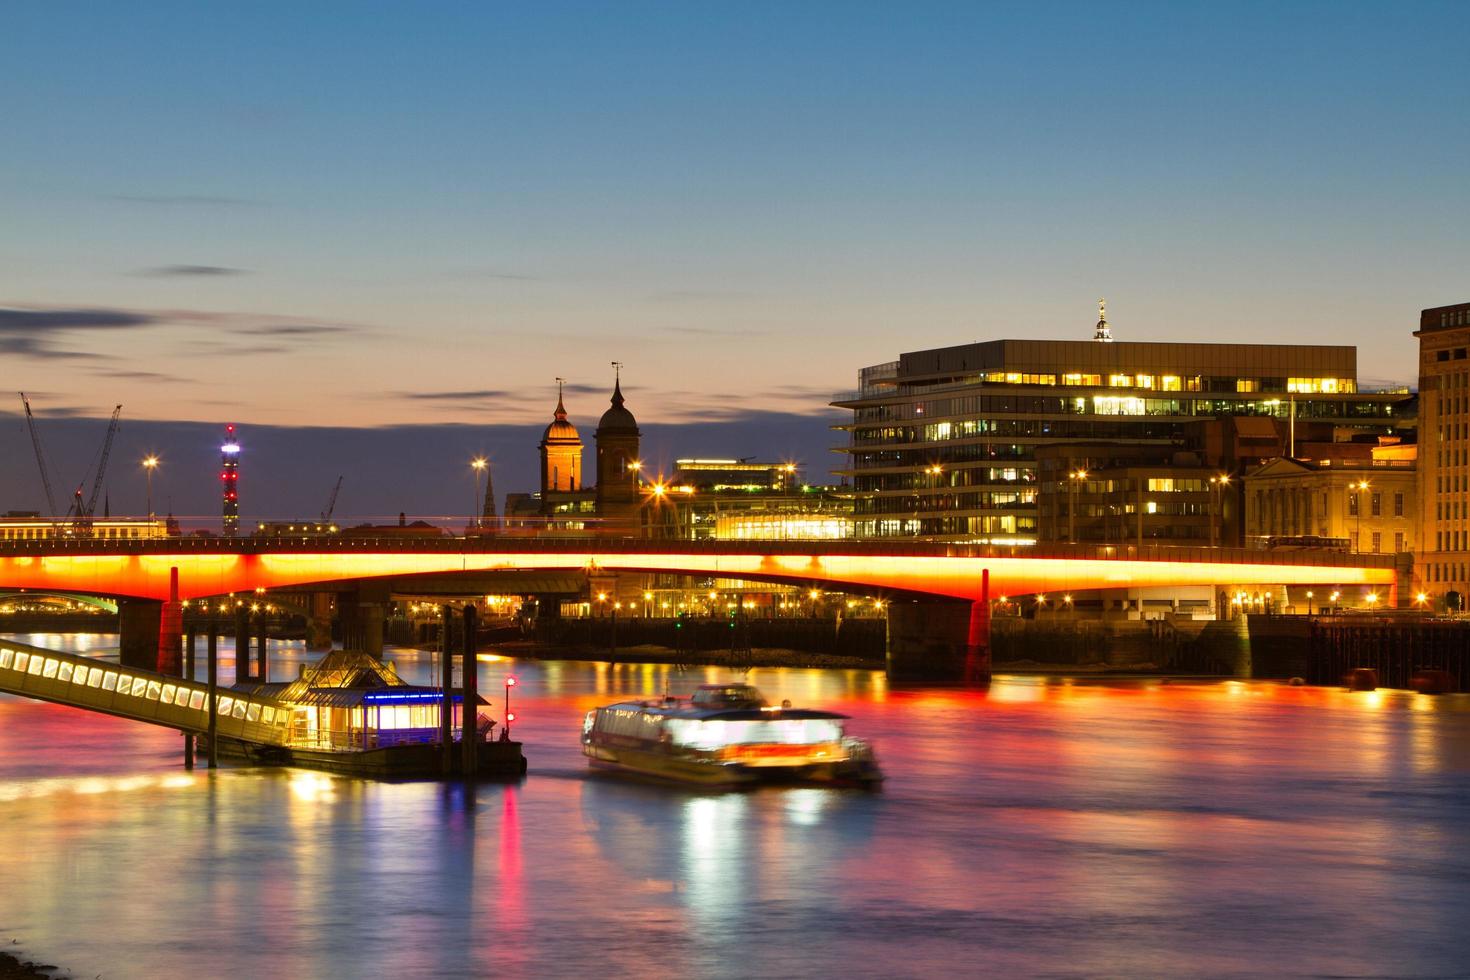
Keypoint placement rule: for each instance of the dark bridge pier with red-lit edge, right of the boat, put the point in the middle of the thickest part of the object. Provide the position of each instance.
(944, 643)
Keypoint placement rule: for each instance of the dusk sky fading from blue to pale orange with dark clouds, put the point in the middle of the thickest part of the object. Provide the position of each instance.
(412, 218)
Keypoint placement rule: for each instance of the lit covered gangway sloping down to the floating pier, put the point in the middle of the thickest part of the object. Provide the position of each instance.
(140, 696)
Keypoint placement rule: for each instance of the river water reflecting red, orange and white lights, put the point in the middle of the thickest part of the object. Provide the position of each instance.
(1044, 828)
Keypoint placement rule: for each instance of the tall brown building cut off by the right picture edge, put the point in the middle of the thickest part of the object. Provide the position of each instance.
(1444, 462)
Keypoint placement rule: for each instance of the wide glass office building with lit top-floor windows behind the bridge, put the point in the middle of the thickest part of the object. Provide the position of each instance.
(944, 443)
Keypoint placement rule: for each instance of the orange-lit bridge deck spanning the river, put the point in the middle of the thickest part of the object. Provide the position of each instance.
(218, 566)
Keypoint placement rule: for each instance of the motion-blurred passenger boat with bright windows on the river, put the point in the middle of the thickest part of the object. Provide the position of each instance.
(727, 735)
